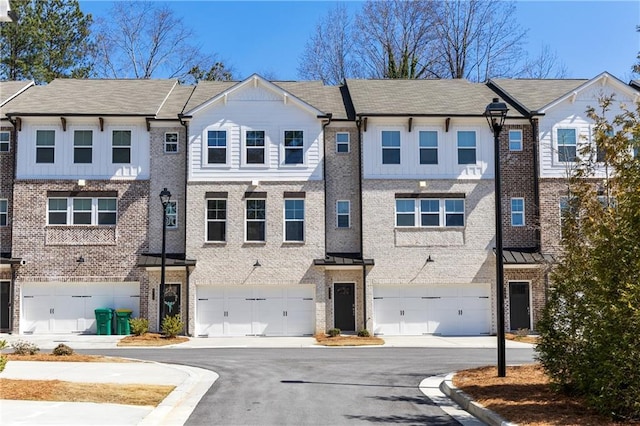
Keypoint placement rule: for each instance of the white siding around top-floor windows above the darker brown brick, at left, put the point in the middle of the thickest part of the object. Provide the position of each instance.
(101, 166)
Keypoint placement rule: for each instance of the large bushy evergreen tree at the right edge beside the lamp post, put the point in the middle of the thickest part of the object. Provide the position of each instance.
(590, 329)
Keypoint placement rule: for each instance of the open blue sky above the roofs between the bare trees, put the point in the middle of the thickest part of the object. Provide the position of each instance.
(268, 37)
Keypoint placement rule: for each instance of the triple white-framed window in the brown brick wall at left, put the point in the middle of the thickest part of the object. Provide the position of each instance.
(82, 211)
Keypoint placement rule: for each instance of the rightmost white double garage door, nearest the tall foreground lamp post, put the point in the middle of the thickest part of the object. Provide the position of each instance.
(446, 310)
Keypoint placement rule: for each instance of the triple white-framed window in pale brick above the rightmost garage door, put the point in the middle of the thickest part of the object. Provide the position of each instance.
(429, 212)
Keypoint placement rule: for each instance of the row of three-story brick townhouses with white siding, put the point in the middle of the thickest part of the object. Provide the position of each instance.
(295, 207)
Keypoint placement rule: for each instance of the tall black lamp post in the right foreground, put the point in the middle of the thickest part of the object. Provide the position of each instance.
(495, 113)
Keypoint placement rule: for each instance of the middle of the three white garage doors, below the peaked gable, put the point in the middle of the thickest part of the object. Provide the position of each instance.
(258, 310)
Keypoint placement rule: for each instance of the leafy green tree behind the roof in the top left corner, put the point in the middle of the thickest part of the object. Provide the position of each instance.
(50, 39)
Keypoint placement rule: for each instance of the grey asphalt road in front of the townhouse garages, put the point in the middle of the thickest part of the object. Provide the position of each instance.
(322, 386)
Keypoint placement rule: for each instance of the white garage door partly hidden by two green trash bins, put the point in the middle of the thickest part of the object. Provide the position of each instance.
(70, 307)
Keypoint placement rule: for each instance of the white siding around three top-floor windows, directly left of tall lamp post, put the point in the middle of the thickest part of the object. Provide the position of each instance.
(410, 167)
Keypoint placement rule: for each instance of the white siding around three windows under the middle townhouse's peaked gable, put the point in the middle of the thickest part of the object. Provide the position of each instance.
(255, 108)
